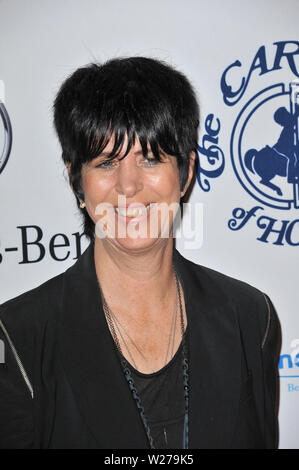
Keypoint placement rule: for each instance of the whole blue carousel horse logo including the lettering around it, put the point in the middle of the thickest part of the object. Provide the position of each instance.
(264, 143)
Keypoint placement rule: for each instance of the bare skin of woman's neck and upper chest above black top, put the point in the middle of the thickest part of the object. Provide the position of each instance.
(141, 293)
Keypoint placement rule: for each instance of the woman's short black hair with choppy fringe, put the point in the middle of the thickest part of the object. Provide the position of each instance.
(125, 97)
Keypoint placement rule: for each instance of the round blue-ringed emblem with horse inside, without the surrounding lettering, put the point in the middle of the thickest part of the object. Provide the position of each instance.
(265, 147)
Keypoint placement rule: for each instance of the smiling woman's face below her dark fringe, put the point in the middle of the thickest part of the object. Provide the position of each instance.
(132, 201)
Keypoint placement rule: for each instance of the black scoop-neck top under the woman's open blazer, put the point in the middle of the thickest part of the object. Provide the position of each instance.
(162, 397)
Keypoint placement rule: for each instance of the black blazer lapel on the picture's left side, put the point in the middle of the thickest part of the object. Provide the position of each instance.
(91, 363)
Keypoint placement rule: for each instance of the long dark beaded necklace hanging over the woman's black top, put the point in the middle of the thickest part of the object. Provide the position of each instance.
(127, 372)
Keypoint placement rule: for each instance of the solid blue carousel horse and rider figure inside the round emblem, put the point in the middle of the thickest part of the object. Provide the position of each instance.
(282, 158)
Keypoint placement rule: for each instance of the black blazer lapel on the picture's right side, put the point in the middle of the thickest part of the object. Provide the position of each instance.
(214, 358)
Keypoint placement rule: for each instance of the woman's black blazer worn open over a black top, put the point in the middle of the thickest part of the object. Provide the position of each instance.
(72, 392)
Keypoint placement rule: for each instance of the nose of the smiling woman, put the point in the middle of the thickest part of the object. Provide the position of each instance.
(129, 180)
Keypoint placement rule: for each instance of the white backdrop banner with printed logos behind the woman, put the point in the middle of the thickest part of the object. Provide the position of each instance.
(242, 57)
